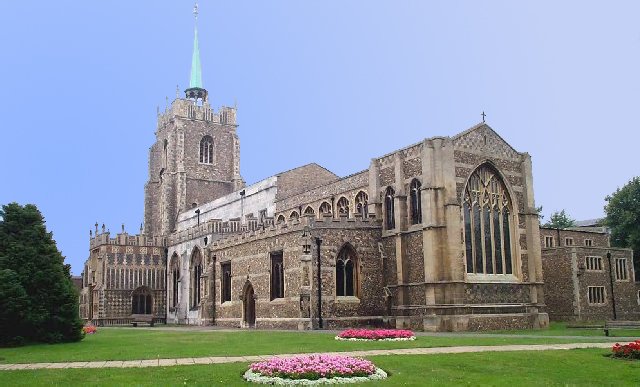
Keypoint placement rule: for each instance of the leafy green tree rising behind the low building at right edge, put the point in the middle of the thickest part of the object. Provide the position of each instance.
(623, 219)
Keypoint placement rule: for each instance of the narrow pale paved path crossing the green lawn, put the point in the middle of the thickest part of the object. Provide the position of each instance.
(242, 359)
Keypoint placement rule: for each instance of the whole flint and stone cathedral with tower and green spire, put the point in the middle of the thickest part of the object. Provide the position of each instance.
(442, 235)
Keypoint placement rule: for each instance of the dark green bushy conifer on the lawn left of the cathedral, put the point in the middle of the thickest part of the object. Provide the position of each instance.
(50, 312)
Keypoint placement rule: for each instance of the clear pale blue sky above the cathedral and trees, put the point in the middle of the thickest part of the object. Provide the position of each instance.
(332, 82)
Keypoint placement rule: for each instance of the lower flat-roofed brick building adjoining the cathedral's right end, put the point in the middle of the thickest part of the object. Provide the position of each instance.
(585, 278)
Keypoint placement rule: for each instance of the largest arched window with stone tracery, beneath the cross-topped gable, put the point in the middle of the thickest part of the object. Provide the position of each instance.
(487, 212)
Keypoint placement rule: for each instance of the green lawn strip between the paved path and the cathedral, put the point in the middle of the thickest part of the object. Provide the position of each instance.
(130, 344)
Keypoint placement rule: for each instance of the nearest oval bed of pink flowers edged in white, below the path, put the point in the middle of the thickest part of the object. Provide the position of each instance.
(313, 369)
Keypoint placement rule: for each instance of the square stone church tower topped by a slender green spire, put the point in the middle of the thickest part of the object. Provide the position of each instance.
(196, 156)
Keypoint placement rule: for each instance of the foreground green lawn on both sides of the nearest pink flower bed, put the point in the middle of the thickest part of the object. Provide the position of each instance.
(545, 368)
